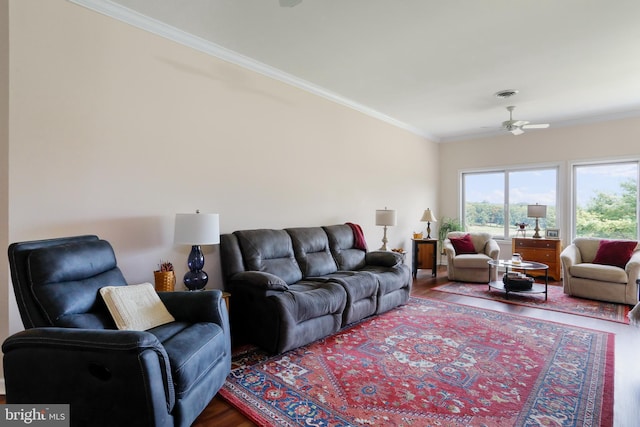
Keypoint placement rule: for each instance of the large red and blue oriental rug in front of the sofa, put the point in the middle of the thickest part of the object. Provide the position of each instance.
(433, 363)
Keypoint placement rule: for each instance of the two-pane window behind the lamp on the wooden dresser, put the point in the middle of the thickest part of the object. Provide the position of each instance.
(495, 201)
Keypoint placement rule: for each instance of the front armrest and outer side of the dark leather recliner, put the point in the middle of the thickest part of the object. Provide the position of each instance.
(87, 369)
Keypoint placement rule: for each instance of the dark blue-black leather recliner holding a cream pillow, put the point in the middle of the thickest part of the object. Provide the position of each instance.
(71, 352)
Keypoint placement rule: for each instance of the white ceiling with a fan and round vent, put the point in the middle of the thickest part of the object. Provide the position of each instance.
(430, 66)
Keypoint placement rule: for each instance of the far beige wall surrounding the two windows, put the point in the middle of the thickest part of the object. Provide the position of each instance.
(554, 146)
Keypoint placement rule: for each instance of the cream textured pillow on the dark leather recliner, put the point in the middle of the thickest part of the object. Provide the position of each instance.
(135, 307)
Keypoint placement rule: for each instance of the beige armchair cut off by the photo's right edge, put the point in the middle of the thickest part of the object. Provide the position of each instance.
(601, 282)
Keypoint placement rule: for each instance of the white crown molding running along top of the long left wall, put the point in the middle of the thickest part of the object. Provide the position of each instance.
(138, 20)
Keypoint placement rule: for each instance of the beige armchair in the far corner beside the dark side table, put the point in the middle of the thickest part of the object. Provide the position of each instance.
(472, 267)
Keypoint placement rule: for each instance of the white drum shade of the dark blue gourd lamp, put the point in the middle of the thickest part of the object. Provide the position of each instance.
(197, 229)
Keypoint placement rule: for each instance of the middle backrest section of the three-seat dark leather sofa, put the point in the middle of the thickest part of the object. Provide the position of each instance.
(311, 248)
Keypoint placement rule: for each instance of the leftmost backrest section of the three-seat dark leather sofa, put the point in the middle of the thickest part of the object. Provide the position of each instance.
(270, 251)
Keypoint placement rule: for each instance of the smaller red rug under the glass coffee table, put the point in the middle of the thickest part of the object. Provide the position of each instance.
(557, 301)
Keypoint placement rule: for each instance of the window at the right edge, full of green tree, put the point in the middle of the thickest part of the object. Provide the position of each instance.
(605, 200)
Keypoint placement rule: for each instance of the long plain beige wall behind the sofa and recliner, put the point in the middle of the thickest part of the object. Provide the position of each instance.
(114, 130)
